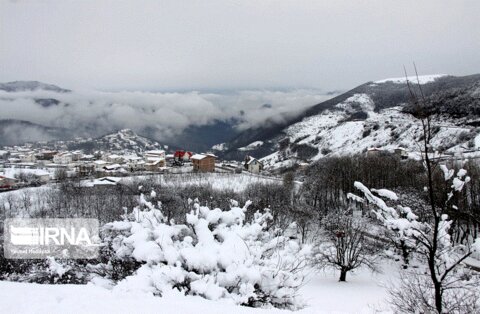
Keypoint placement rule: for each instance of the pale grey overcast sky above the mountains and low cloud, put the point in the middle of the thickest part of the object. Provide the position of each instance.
(234, 44)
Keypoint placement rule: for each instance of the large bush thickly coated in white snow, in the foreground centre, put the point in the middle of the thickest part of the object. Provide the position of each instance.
(216, 255)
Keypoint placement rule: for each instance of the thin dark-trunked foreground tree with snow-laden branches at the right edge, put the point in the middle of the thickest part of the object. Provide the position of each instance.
(439, 257)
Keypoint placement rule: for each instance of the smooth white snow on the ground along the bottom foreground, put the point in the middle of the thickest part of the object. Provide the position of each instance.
(363, 293)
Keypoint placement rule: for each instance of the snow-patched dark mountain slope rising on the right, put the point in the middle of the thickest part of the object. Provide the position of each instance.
(374, 115)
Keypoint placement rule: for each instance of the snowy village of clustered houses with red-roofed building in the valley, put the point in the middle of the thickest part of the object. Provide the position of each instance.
(34, 164)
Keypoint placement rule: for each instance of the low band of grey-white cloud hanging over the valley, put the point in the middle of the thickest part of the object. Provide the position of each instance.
(168, 113)
